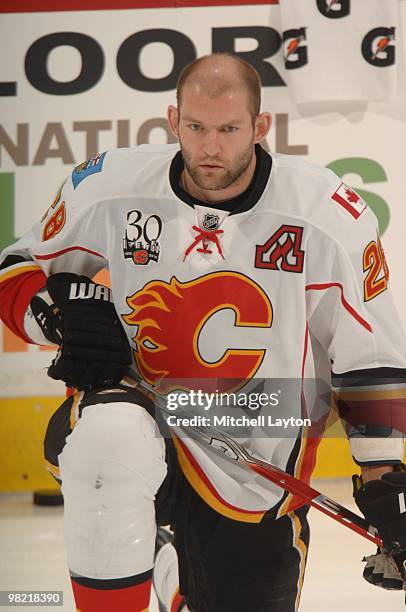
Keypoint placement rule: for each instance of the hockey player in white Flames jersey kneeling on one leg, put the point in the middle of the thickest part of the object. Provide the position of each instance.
(226, 262)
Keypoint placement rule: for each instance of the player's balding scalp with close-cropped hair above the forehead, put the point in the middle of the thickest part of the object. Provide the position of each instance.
(219, 74)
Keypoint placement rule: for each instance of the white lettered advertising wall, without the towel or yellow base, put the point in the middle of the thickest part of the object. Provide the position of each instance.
(76, 82)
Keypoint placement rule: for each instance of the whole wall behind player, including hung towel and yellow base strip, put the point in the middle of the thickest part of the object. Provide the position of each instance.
(80, 77)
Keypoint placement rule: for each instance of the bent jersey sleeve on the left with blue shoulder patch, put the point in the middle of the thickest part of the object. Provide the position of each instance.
(71, 237)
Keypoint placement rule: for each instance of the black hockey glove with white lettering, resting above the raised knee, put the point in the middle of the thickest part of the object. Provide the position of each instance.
(93, 348)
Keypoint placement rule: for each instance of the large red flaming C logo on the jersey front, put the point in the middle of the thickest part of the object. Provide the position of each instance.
(171, 316)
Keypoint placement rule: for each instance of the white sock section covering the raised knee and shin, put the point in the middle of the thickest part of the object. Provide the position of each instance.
(111, 467)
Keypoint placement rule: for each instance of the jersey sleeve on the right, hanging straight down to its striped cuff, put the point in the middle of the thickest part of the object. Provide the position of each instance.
(352, 314)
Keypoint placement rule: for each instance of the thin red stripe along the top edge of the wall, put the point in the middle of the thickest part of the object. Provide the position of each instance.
(48, 6)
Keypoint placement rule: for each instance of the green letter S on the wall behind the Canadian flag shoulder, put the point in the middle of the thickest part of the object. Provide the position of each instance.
(370, 172)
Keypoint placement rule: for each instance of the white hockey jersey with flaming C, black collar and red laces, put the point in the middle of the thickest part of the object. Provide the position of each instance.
(205, 293)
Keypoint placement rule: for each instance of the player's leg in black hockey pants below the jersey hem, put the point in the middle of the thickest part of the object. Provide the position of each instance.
(230, 566)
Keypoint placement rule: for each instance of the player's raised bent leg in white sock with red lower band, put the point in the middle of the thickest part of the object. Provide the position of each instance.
(112, 465)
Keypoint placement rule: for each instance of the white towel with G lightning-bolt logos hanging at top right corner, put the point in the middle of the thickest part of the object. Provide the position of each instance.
(340, 49)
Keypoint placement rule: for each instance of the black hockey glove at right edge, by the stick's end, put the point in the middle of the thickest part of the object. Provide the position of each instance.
(383, 503)
